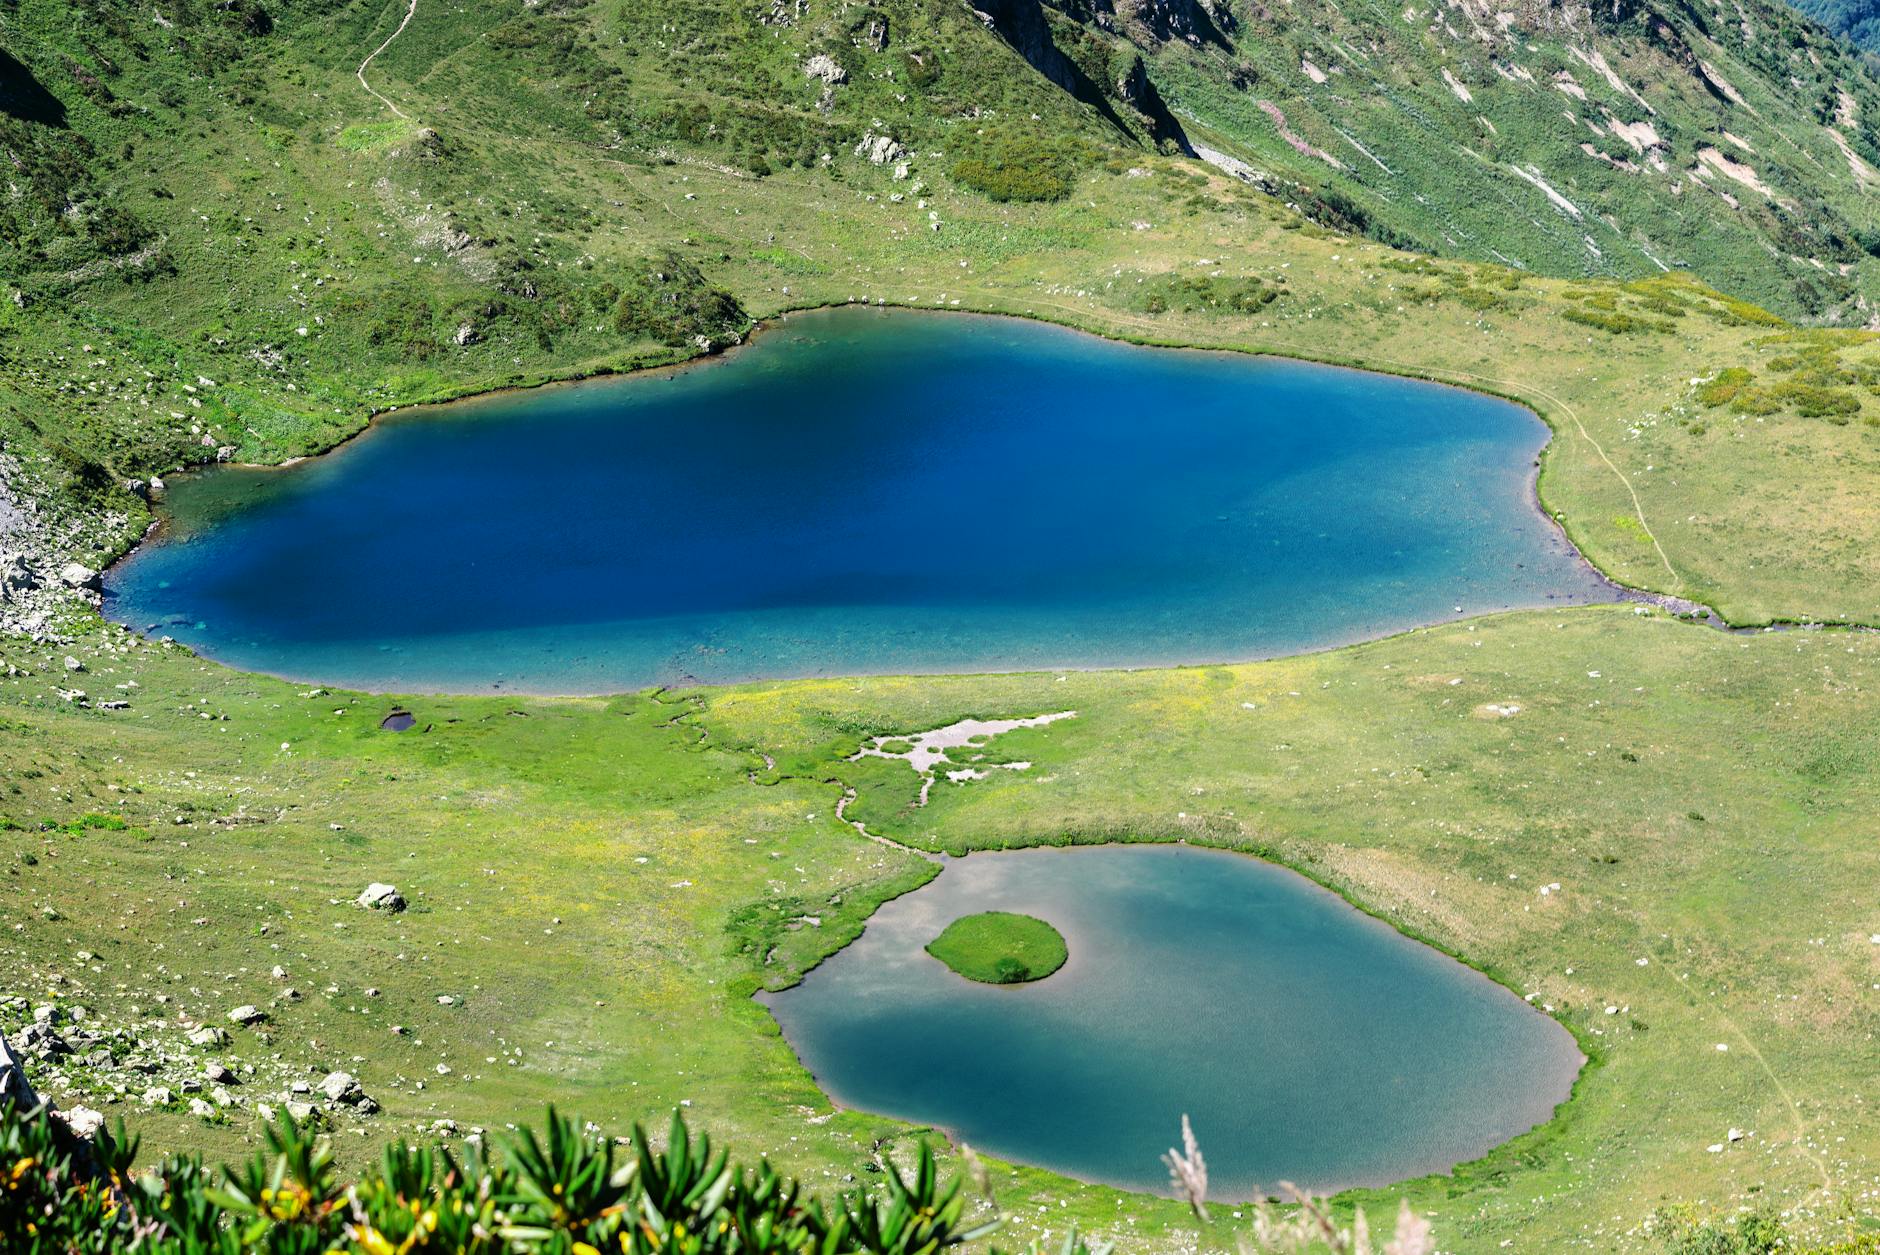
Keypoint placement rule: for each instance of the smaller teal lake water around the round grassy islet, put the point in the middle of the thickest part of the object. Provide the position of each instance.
(1306, 1040)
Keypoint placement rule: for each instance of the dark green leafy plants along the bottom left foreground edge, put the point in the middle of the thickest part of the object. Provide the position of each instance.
(561, 1192)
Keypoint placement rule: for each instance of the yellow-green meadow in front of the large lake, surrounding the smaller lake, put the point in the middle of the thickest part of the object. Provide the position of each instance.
(599, 886)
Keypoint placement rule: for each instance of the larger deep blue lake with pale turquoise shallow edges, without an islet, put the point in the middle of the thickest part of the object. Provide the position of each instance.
(864, 493)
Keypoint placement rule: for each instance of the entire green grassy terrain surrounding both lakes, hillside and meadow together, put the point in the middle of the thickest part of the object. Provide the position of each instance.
(225, 240)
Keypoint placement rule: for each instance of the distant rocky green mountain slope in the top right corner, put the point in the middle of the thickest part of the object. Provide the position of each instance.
(1621, 138)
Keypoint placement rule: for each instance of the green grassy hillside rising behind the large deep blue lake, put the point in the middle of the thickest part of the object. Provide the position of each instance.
(548, 204)
